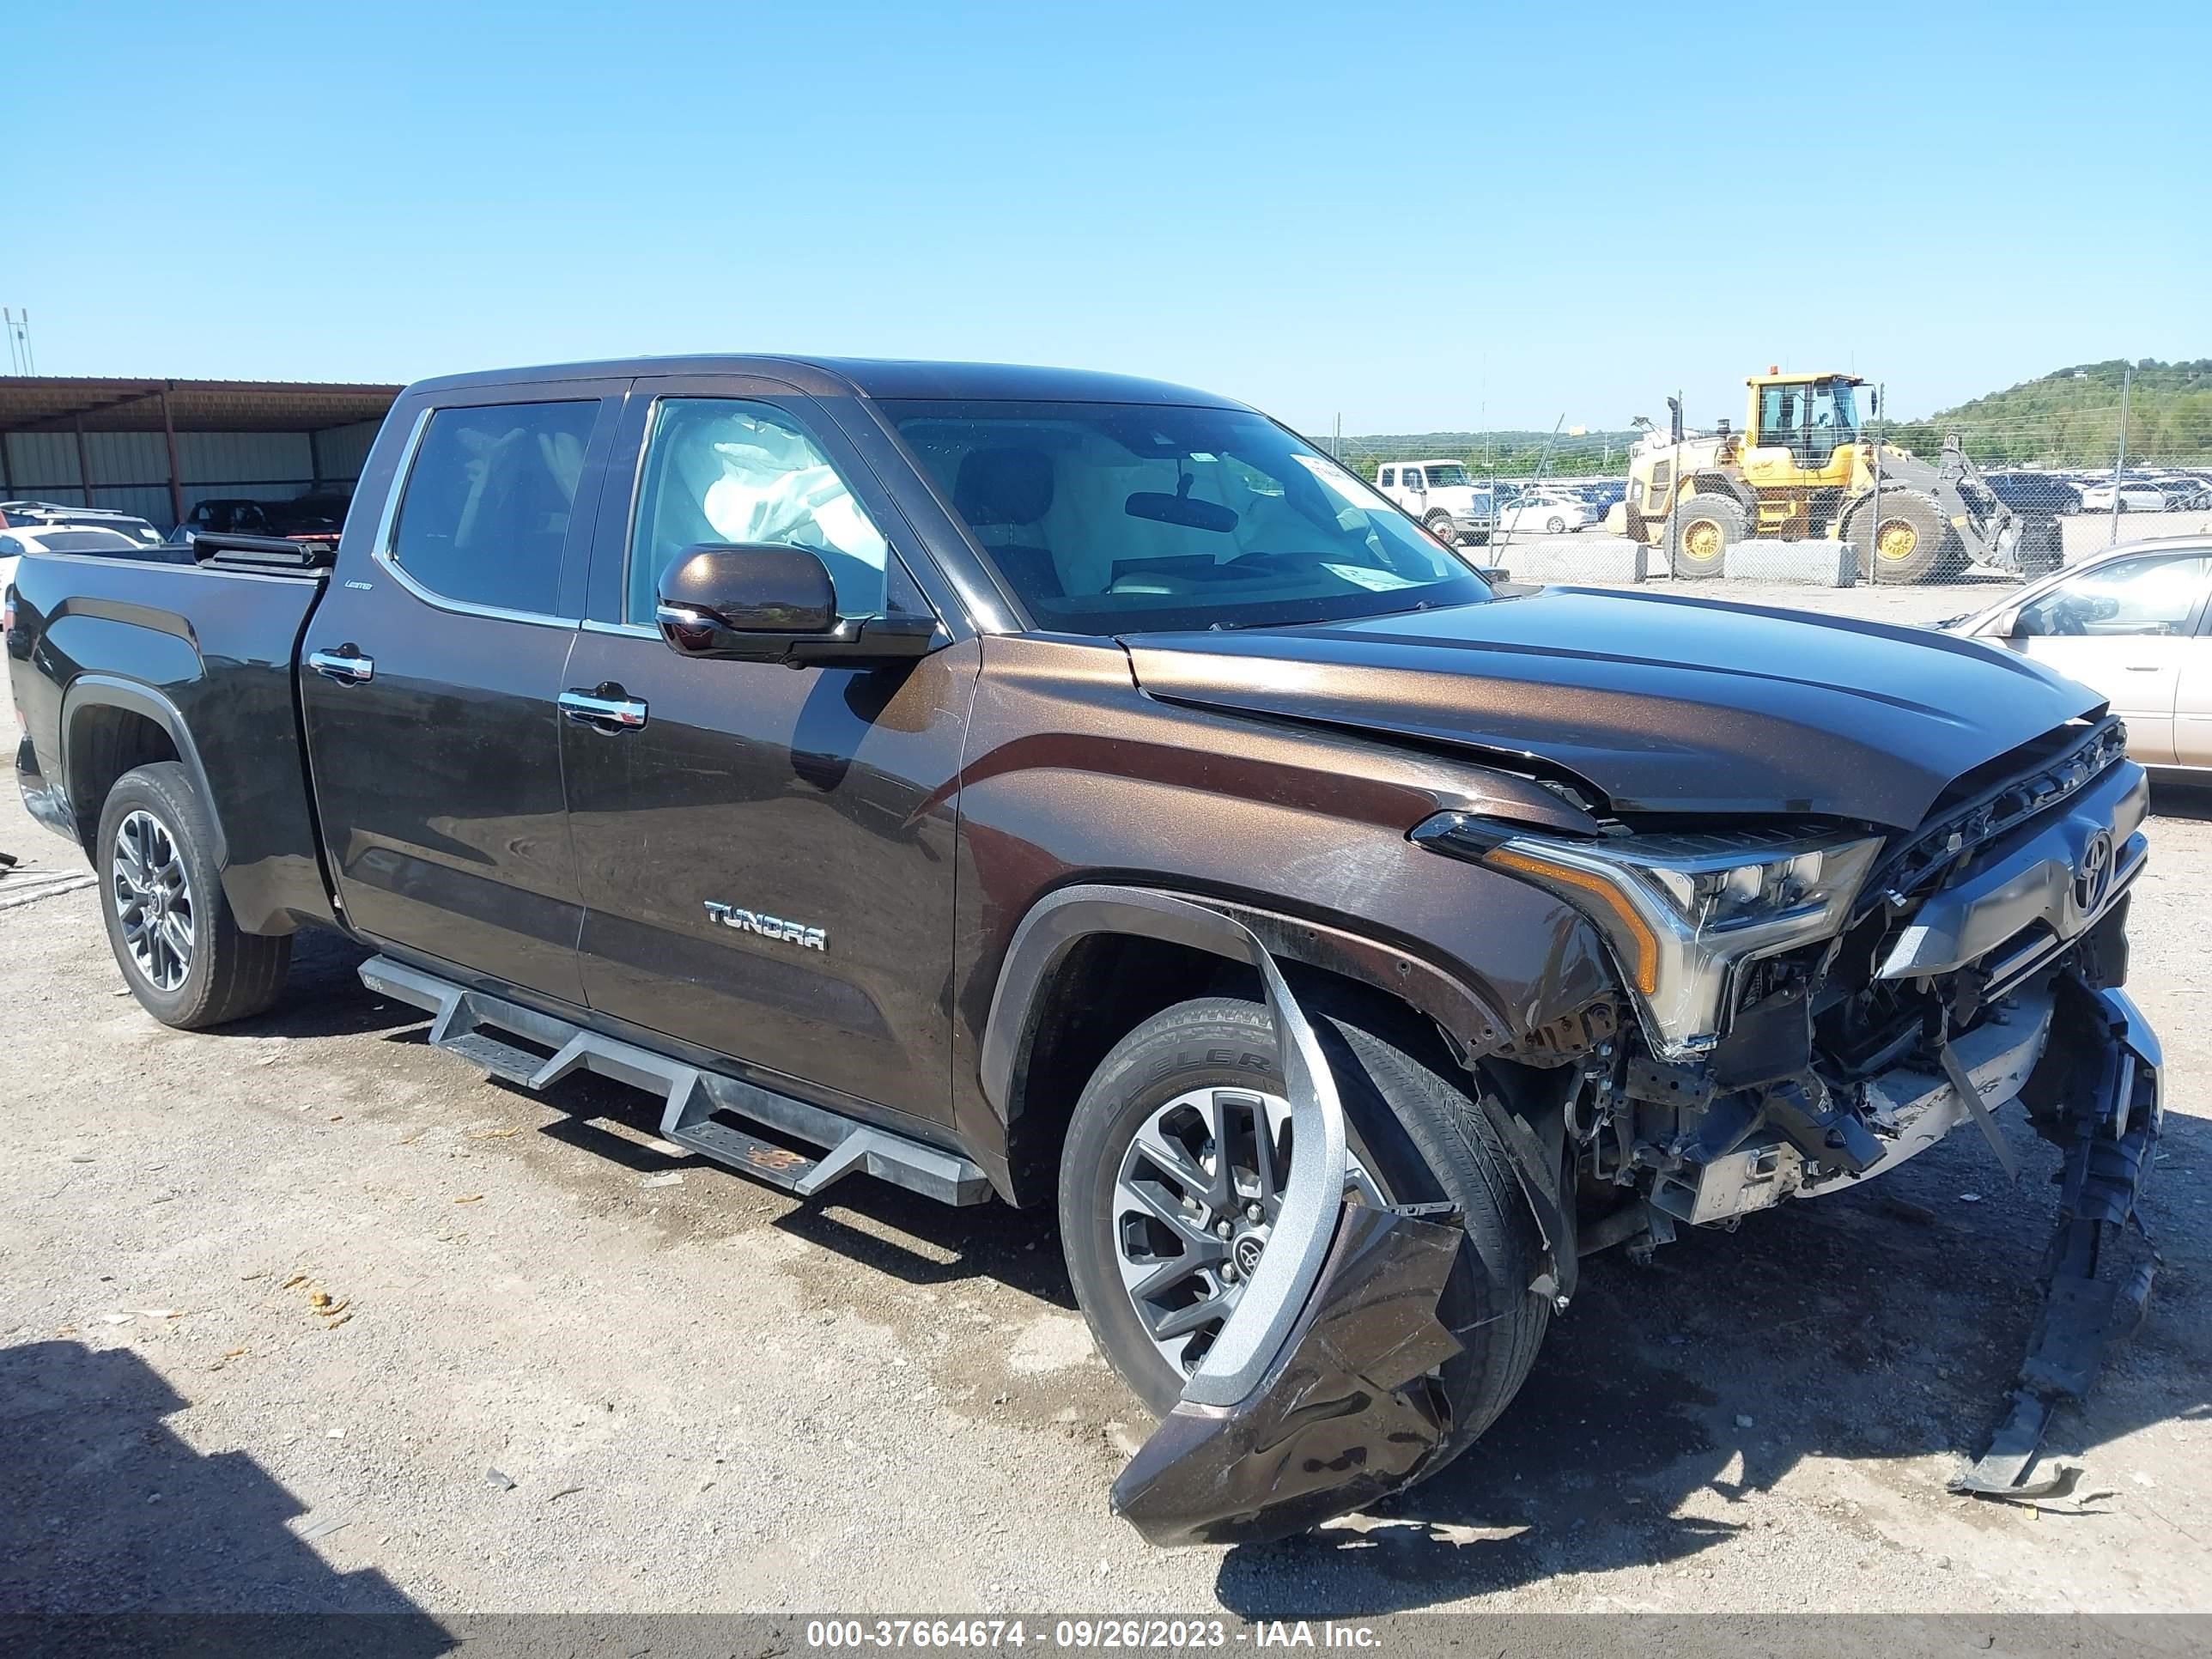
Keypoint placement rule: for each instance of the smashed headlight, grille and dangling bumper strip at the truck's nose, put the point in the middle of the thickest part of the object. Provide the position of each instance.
(1817, 1005)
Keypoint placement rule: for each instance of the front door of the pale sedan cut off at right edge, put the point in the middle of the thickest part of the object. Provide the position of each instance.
(2125, 629)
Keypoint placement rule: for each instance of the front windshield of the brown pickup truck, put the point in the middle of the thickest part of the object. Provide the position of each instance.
(1129, 519)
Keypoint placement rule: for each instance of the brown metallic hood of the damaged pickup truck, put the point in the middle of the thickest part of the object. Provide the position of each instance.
(1658, 702)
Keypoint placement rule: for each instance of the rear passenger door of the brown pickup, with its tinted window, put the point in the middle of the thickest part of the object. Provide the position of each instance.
(432, 674)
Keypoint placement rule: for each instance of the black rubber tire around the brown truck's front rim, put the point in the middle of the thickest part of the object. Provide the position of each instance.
(1412, 1131)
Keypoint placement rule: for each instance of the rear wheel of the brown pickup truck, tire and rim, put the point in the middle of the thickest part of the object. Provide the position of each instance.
(187, 961)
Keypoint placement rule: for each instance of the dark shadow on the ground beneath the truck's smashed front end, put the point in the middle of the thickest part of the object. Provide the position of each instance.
(1868, 1326)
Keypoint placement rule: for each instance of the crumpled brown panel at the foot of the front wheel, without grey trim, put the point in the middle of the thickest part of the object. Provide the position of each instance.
(1344, 1417)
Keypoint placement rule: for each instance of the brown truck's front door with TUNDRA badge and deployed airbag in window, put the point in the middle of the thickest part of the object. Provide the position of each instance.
(766, 853)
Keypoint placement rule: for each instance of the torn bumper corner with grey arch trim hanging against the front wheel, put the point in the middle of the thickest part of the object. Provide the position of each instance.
(1319, 1392)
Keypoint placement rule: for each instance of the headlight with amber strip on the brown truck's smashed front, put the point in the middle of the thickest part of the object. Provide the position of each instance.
(1684, 912)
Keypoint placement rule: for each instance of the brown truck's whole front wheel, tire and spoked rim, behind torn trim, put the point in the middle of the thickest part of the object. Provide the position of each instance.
(1176, 1165)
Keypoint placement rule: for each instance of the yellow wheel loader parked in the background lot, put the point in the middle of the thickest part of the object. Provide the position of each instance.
(1804, 470)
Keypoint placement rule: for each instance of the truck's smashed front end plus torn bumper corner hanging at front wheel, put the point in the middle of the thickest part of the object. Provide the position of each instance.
(1806, 1010)
